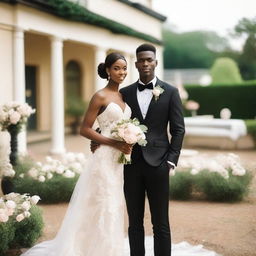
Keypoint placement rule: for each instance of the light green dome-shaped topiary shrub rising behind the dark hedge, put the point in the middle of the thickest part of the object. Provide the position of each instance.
(225, 70)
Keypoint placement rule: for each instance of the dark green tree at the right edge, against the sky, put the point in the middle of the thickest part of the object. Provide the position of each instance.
(247, 60)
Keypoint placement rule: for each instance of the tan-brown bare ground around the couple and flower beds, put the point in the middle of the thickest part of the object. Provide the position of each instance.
(229, 229)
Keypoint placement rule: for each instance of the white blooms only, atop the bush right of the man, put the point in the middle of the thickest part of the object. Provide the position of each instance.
(220, 164)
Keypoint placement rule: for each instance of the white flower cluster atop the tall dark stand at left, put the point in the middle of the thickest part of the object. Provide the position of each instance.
(14, 113)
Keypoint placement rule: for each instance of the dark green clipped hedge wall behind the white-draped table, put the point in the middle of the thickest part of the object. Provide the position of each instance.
(239, 98)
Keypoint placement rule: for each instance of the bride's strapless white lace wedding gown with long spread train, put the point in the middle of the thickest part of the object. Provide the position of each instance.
(94, 222)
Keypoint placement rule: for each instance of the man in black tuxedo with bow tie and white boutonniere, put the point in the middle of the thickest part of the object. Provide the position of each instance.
(158, 106)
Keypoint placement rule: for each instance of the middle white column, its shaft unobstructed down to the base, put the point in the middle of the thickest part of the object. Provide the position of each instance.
(57, 96)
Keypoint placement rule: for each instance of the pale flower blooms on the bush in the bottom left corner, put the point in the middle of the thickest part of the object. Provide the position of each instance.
(16, 206)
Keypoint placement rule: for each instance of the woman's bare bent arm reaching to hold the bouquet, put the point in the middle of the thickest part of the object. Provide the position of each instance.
(87, 131)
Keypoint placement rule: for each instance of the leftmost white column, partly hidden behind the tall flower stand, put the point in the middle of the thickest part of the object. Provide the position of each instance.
(19, 79)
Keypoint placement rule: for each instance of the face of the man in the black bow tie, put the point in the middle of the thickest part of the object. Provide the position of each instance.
(146, 63)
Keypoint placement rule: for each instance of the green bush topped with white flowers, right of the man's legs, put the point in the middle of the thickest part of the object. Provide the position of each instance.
(221, 178)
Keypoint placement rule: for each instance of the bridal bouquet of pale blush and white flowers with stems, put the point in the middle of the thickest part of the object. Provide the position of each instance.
(132, 132)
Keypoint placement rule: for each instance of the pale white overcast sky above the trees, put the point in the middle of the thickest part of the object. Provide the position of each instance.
(216, 15)
